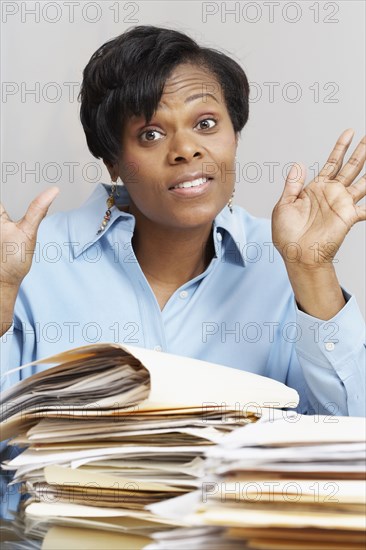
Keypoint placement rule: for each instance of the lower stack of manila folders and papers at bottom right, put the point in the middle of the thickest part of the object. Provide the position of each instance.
(290, 482)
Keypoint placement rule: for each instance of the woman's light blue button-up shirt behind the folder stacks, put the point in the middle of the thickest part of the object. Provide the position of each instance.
(85, 288)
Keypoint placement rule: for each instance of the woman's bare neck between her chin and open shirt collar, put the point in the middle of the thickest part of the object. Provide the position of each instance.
(169, 257)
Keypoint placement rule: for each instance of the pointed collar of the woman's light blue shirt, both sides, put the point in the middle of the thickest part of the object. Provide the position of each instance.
(84, 222)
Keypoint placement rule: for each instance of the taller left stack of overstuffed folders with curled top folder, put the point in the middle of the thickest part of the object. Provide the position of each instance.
(110, 430)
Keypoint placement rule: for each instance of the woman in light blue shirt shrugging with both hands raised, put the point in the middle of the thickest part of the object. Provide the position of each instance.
(163, 262)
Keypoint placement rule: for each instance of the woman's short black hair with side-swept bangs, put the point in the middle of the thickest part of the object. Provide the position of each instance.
(126, 76)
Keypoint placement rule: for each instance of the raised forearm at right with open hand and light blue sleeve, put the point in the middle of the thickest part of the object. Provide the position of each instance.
(309, 225)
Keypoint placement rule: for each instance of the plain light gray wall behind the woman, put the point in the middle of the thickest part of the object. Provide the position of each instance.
(305, 61)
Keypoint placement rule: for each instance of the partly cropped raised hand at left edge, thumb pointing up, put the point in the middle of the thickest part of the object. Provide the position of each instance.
(18, 239)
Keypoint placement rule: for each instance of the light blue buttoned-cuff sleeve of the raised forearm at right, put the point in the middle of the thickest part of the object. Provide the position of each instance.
(332, 355)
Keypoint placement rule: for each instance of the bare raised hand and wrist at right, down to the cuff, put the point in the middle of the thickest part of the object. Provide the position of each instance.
(310, 223)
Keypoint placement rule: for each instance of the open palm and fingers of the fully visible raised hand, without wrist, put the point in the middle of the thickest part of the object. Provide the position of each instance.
(310, 223)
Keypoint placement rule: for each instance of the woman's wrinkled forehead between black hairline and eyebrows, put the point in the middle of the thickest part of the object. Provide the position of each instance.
(190, 82)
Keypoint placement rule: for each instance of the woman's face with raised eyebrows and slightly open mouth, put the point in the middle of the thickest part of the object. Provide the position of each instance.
(190, 137)
